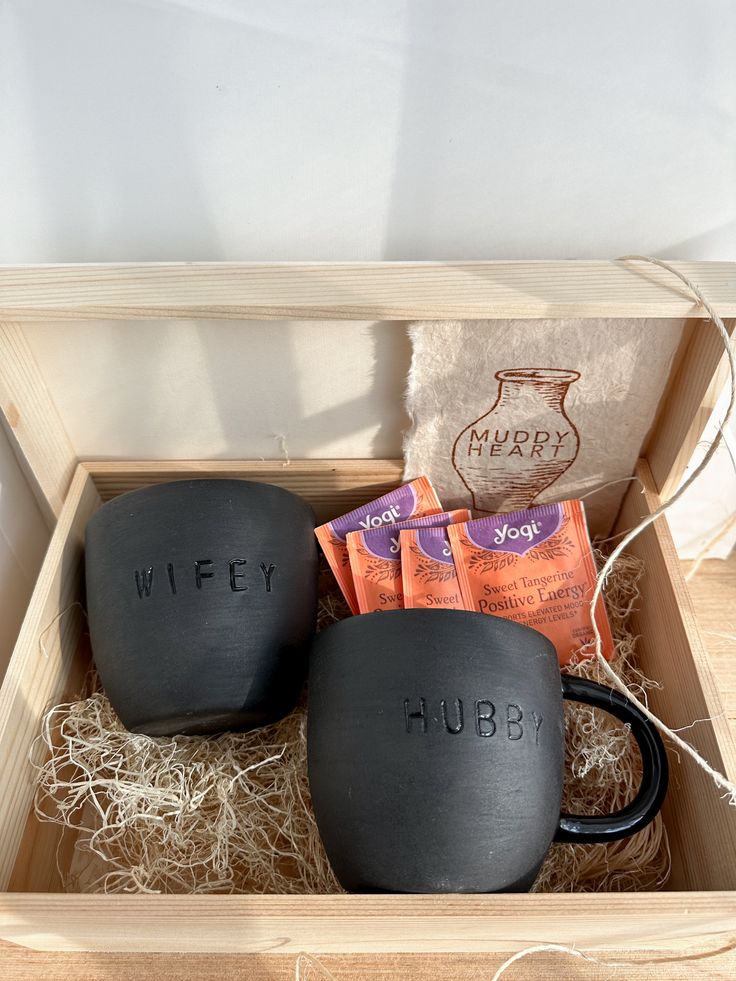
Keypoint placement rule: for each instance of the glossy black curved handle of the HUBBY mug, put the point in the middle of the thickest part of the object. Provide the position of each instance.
(585, 829)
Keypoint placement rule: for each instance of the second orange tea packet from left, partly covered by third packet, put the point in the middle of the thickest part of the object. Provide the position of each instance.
(375, 560)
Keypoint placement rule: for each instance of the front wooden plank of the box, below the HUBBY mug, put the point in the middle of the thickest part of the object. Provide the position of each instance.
(364, 924)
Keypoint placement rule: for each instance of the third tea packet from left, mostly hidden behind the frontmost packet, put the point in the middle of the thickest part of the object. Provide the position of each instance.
(428, 570)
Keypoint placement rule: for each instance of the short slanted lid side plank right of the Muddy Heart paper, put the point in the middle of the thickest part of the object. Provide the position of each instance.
(687, 405)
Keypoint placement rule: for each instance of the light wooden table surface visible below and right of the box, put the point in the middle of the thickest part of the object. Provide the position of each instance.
(713, 588)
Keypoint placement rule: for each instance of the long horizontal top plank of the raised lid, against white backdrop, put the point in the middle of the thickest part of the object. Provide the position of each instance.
(360, 291)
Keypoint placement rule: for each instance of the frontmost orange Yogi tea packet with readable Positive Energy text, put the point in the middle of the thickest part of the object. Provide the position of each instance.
(535, 567)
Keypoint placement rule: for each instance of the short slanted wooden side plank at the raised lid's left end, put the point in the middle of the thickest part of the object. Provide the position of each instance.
(37, 432)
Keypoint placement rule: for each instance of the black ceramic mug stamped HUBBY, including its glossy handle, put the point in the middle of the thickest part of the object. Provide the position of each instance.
(436, 750)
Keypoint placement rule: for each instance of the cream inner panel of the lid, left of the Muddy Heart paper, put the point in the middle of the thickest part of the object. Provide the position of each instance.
(225, 389)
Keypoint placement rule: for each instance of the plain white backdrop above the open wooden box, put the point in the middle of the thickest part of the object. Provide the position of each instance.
(165, 129)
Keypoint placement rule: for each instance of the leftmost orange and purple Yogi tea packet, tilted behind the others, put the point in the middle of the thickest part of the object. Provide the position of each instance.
(411, 500)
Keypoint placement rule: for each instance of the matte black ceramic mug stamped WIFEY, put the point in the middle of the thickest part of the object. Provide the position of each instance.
(202, 598)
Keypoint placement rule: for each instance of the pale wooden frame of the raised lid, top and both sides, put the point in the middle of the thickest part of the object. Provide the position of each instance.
(344, 291)
